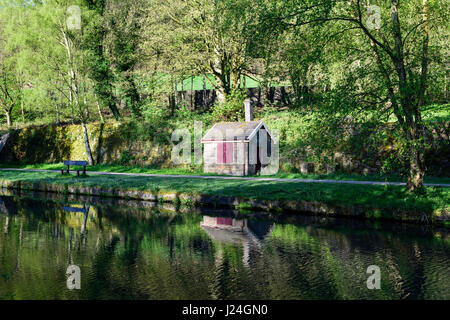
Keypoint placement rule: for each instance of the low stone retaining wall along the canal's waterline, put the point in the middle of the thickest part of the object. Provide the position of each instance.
(276, 207)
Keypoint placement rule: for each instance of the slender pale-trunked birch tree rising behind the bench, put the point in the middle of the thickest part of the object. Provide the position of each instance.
(63, 54)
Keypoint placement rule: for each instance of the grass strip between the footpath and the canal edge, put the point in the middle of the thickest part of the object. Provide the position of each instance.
(436, 198)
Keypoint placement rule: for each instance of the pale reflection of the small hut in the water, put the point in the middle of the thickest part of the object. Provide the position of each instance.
(236, 232)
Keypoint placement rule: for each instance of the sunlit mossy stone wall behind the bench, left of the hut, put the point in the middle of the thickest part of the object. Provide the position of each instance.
(110, 143)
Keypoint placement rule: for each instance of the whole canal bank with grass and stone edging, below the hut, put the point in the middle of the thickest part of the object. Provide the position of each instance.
(362, 199)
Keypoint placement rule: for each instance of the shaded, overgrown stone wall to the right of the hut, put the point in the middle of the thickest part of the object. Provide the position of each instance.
(373, 156)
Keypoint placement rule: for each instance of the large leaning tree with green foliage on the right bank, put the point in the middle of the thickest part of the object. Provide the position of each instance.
(355, 87)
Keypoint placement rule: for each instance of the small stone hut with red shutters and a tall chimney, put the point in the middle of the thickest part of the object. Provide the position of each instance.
(238, 148)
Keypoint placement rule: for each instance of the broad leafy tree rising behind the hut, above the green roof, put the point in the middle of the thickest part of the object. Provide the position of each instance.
(200, 37)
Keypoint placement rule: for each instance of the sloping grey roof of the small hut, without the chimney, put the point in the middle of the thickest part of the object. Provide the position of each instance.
(234, 131)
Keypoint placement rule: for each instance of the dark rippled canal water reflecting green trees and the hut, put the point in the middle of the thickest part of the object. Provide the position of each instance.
(144, 250)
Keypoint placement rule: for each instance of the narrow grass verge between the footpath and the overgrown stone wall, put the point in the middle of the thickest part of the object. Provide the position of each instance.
(198, 171)
